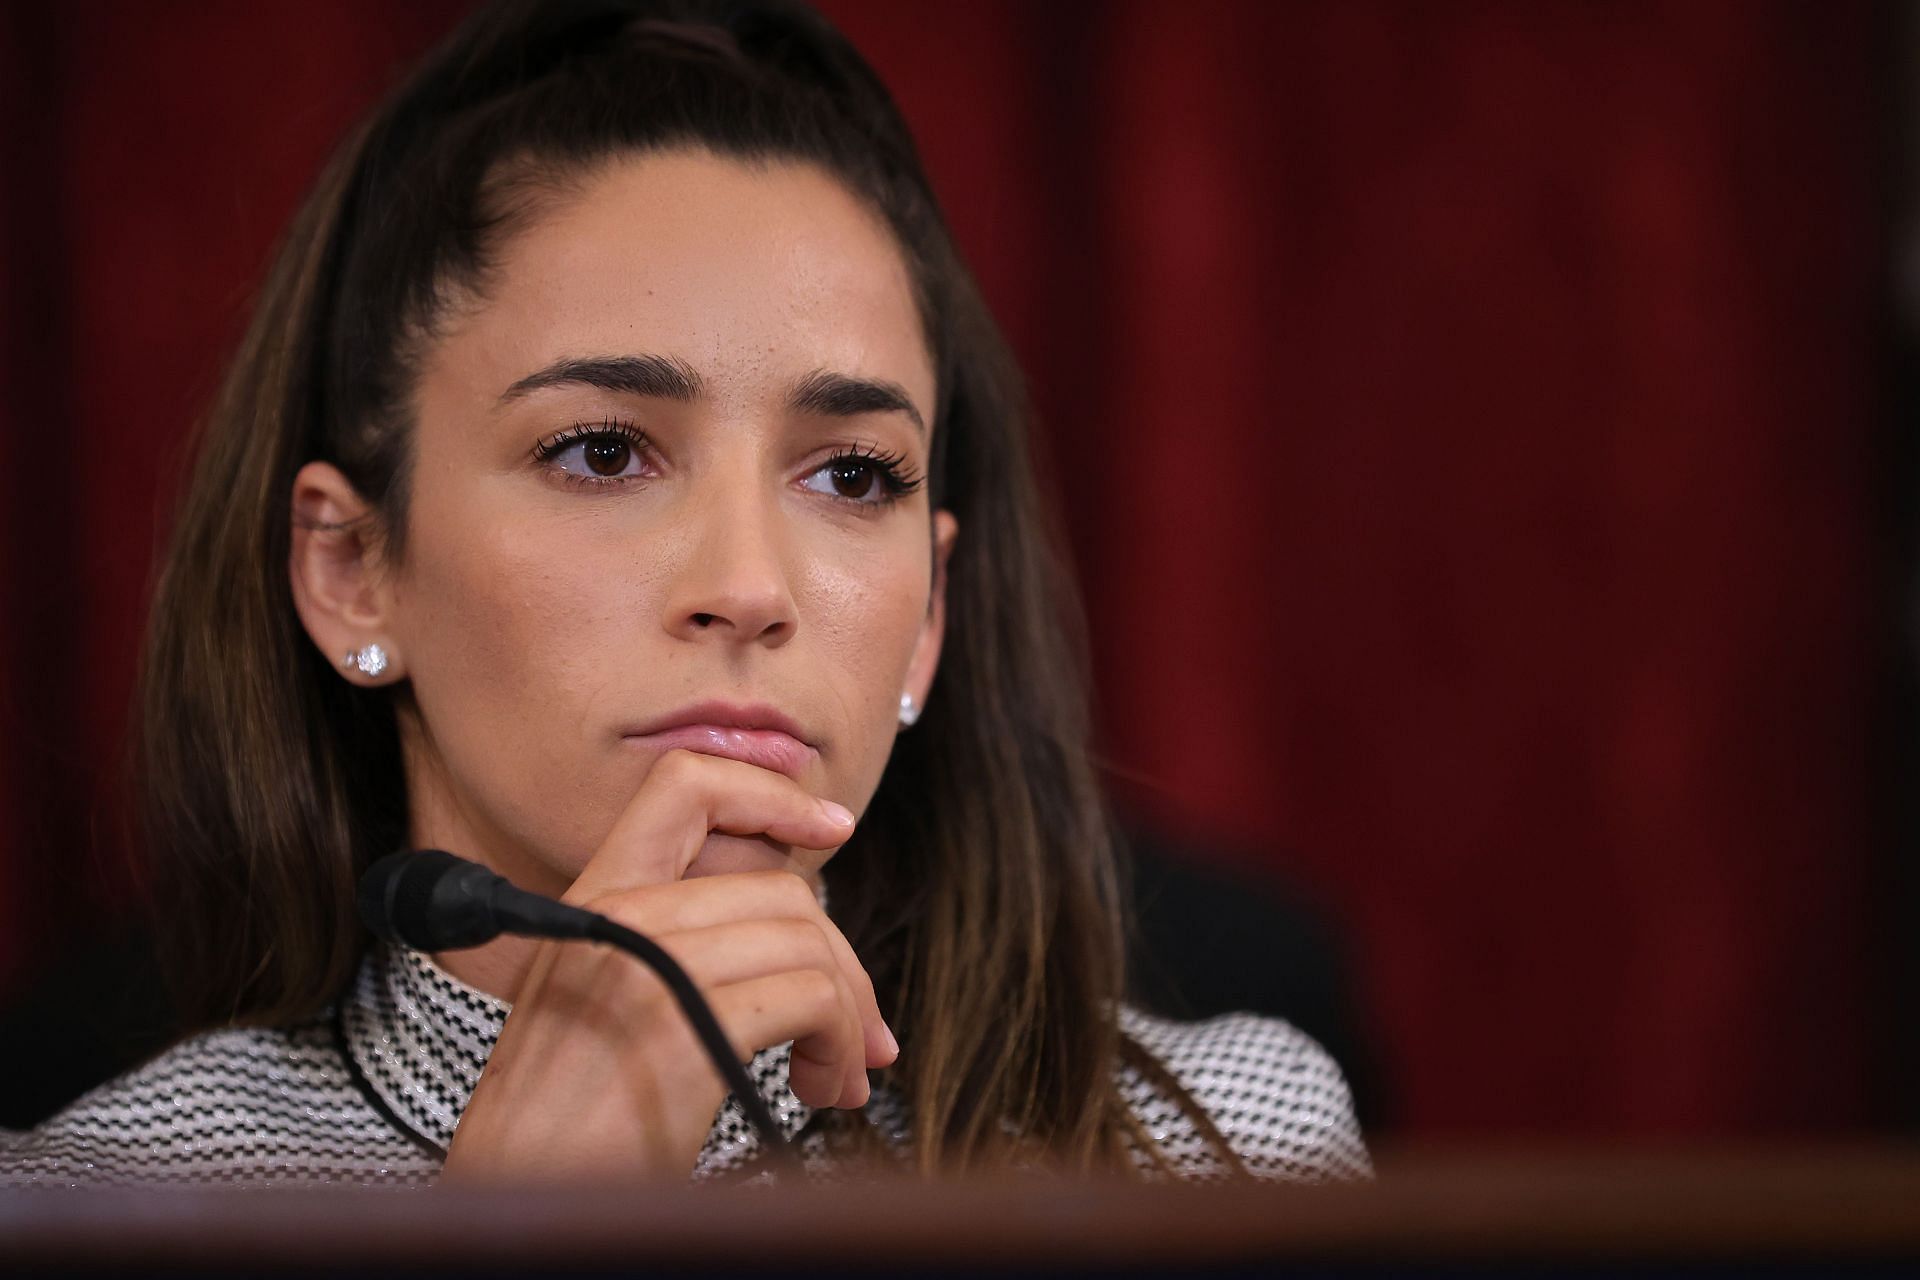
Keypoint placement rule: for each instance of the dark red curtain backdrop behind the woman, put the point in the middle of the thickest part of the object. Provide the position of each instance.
(1462, 417)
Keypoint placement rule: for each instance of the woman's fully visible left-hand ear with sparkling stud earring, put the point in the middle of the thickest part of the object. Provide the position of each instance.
(339, 575)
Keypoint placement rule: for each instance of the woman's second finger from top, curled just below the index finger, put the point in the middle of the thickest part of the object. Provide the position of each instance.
(696, 907)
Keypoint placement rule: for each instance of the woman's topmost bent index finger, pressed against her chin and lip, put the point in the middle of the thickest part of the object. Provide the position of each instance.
(684, 799)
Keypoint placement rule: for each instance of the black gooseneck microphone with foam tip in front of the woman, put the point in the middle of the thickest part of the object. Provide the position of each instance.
(429, 901)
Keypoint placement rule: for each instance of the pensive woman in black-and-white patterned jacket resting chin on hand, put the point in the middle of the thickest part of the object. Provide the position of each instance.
(617, 454)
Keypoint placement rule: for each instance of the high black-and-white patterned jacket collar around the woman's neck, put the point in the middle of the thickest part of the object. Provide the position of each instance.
(420, 1039)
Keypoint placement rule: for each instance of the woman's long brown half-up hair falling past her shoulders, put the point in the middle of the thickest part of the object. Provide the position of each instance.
(980, 889)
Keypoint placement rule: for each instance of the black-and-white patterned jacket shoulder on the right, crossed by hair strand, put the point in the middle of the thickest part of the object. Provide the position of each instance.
(1274, 1093)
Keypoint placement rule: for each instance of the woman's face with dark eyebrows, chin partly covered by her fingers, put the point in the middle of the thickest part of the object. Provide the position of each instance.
(667, 492)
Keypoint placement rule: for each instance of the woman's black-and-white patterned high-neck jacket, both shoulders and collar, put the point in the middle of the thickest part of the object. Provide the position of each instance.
(372, 1095)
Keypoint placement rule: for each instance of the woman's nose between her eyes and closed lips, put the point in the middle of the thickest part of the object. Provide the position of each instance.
(734, 581)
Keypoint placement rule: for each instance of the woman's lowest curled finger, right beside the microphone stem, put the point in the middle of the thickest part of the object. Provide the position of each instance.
(802, 1007)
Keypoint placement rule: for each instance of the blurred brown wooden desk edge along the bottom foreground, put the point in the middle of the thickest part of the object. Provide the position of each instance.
(1804, 1204)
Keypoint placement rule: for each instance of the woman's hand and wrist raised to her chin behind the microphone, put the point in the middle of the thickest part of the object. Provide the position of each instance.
(598, 1072)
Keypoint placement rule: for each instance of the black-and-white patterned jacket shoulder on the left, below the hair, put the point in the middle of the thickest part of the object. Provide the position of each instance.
(258, 1106)
